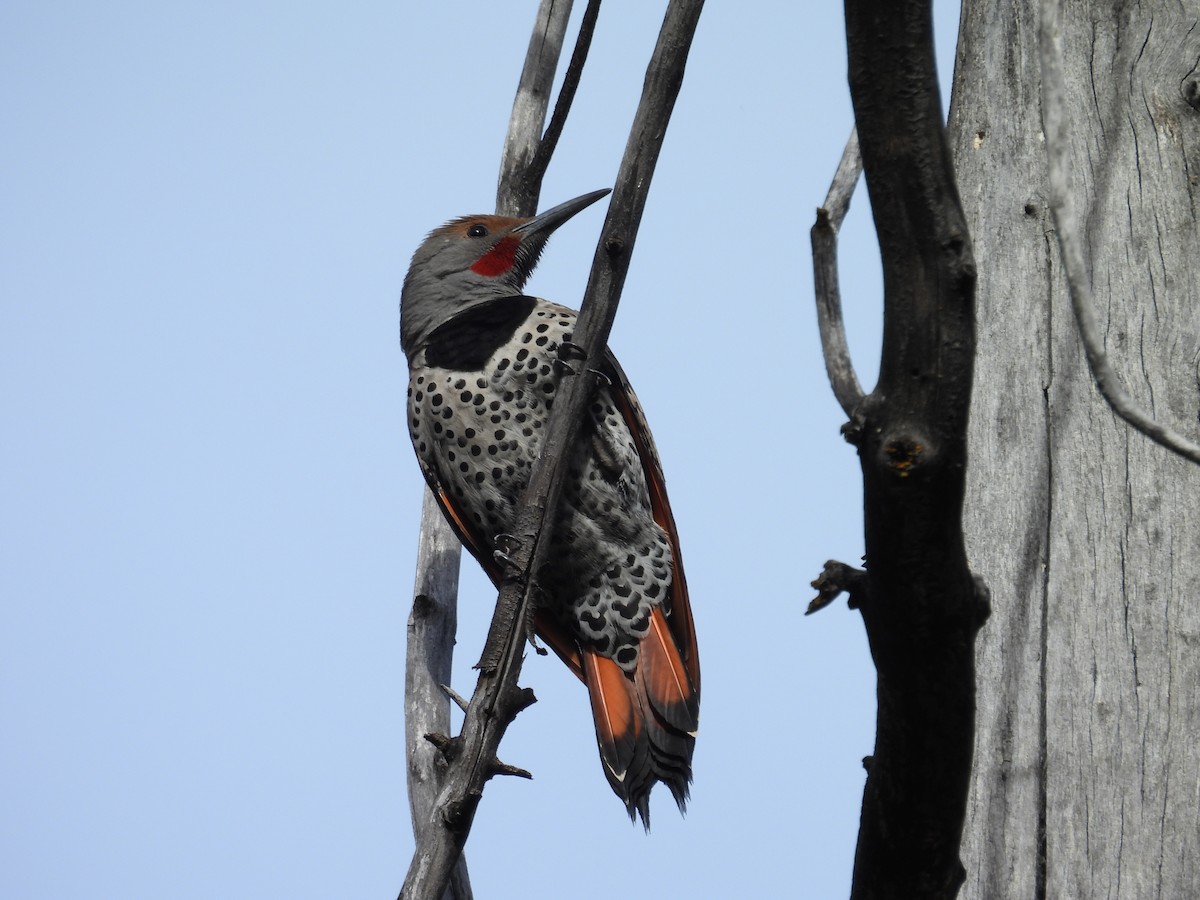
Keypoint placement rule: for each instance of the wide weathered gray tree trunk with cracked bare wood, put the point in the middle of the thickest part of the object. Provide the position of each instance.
(1089, 535)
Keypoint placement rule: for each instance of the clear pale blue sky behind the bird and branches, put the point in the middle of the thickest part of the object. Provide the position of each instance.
(209, 505)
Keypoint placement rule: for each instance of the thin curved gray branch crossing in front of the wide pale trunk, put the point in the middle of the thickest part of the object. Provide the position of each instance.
(1055, 124)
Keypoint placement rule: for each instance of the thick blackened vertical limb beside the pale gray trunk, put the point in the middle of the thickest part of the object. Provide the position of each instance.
(922, 608)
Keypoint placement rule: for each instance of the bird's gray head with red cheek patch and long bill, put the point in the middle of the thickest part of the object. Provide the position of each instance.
(472, 260)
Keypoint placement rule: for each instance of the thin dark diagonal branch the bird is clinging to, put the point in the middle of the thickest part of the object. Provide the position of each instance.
(497, 699)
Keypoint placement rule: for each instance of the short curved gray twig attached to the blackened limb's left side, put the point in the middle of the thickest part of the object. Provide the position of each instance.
(825, 280)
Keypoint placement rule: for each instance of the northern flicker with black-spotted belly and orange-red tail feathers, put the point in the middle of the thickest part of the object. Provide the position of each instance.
(613, 601)
